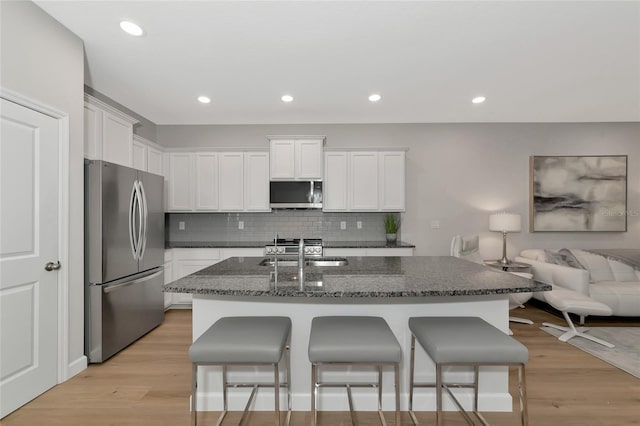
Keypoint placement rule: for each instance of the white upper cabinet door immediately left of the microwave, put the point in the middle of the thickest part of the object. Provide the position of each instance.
(256, 181)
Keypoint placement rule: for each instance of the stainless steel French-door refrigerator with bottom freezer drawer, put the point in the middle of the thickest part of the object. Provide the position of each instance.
(124, 256)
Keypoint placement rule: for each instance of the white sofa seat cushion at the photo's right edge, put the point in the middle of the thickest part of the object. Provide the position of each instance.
(622, 297)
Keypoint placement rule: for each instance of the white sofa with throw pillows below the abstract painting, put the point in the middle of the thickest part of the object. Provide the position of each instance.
(608, 281)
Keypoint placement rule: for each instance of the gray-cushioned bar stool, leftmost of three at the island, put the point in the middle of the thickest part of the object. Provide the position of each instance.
(234, 341)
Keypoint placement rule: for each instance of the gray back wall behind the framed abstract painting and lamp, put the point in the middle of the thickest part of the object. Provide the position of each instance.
(458, 173)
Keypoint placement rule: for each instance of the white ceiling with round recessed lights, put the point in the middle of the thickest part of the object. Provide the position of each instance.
(535, 61)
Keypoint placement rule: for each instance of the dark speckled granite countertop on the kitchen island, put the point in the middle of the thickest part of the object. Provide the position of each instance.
(364, 277)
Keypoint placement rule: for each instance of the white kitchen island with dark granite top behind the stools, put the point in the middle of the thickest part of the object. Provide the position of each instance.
(395, 288)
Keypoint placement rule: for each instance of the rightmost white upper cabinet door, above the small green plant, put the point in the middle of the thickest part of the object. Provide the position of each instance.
(392, 180)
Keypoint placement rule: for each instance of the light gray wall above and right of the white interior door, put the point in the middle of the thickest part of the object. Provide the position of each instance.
(43, 60)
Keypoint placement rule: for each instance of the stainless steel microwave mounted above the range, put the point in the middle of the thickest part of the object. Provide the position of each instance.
(295, 194)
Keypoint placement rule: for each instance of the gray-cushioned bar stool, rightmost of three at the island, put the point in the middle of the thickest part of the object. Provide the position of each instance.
(467, 341)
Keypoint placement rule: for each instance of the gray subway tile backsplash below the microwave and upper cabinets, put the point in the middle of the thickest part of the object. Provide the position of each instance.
(264, 226)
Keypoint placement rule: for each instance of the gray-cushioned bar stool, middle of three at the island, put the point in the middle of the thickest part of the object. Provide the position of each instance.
(345, 340)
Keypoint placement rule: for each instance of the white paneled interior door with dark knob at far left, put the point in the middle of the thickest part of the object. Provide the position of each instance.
(29, 149)
